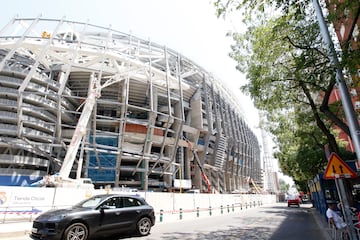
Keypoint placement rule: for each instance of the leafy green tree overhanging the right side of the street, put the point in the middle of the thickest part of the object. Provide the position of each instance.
(290, 78)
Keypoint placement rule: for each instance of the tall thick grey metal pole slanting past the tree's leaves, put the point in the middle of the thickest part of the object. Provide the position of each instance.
(344, 93)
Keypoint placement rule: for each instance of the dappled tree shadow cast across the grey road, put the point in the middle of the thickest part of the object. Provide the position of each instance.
(295, 225)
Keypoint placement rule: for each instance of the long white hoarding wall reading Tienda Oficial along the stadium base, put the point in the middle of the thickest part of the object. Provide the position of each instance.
(25, 203)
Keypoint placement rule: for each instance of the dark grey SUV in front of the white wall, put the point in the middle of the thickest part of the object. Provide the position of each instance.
(98, 216)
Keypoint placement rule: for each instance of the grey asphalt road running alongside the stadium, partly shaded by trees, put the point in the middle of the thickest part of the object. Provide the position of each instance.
(277, 222)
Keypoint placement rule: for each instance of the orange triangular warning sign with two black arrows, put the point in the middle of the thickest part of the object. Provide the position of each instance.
(337, 168)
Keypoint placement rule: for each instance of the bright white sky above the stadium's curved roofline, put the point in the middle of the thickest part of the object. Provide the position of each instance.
(189, 27)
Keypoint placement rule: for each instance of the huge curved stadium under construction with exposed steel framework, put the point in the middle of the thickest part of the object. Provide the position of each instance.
(81, 100)
